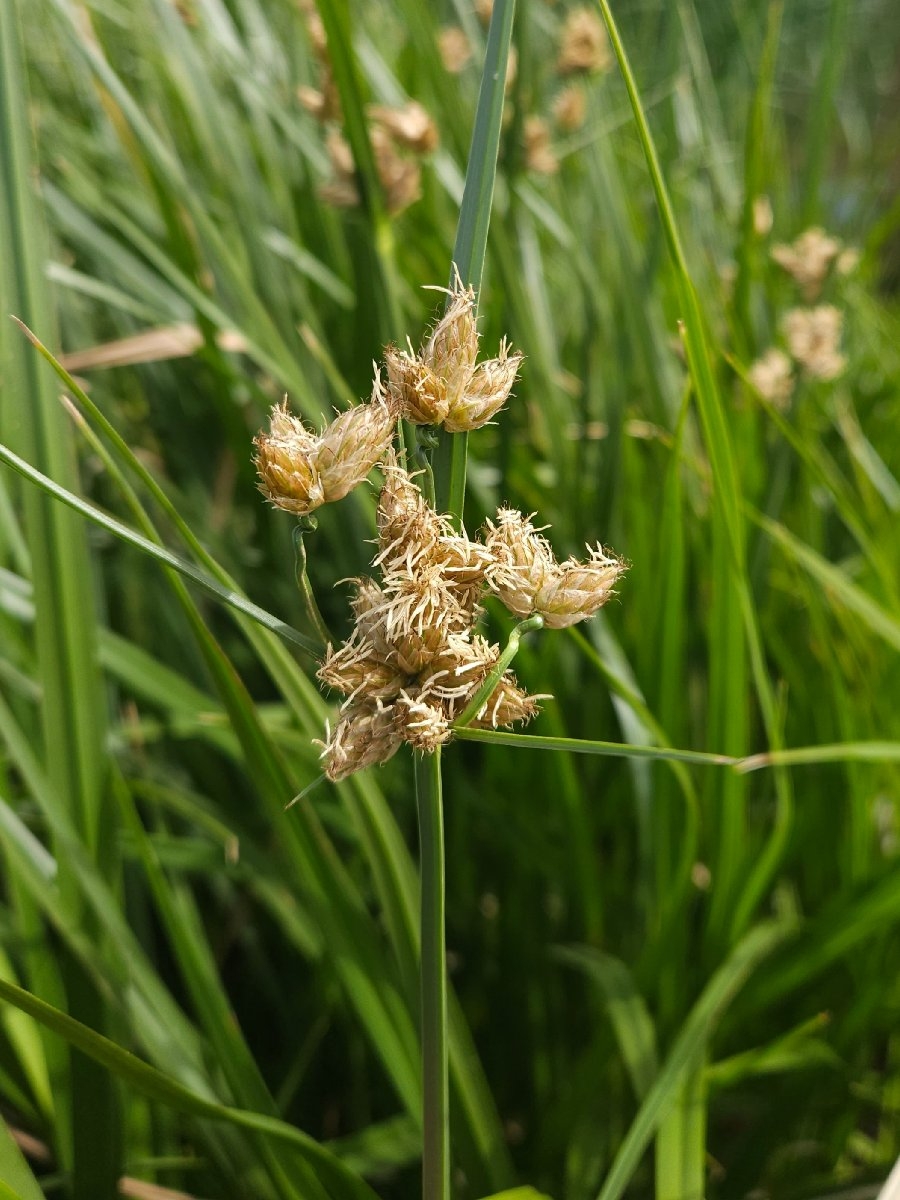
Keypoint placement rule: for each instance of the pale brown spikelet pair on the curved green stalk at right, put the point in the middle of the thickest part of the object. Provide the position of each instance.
(529, 579)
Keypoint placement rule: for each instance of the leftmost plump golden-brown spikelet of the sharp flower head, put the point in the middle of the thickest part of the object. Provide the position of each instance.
(286, 461)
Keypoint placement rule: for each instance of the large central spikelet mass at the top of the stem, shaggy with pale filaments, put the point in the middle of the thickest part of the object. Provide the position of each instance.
(415, 659)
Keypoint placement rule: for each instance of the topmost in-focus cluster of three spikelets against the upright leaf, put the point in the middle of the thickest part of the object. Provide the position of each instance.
(443, 383)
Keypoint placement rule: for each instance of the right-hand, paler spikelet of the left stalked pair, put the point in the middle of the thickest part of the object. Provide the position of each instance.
(352, 446)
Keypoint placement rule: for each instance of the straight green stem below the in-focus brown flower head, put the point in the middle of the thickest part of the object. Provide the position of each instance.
(436, 1126)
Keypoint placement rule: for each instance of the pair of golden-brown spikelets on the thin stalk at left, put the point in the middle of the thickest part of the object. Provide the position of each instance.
(299, 471)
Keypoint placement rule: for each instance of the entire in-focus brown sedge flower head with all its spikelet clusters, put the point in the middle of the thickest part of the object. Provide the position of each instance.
(416, 663)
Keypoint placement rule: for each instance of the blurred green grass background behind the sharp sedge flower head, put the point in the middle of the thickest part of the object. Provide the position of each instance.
(167, 181)
